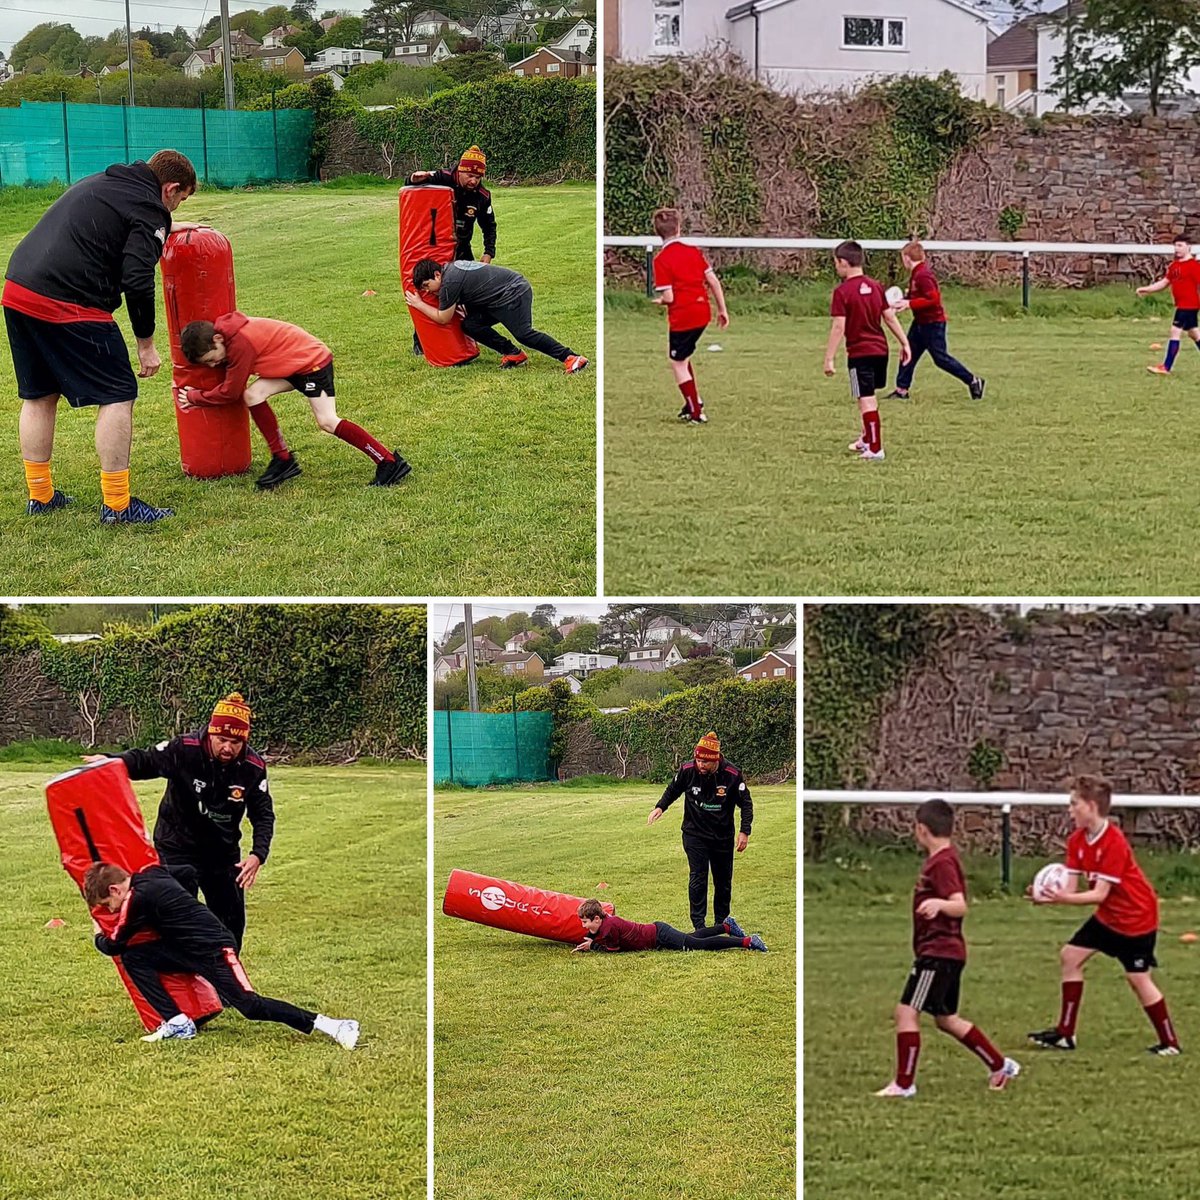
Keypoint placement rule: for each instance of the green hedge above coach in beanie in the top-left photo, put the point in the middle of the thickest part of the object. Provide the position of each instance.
(530, 129)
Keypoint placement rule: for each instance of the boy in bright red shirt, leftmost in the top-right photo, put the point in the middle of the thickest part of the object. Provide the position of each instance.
(681, 278)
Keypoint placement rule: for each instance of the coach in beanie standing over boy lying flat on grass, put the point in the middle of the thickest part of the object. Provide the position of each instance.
(712, 789)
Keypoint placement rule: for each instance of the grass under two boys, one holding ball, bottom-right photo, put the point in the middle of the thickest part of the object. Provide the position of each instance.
(1108, 1121)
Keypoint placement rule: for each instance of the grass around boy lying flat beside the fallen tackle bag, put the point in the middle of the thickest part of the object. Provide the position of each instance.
(647, 1077)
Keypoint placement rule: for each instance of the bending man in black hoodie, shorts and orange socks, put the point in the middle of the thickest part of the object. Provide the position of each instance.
(99, 241)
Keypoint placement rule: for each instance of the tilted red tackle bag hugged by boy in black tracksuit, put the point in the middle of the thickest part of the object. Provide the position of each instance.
(97, 820)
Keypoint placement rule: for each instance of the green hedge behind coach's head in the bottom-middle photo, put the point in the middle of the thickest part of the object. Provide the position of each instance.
(755, 722)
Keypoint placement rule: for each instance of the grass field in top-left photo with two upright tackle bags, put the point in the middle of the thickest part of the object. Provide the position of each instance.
(502, 497)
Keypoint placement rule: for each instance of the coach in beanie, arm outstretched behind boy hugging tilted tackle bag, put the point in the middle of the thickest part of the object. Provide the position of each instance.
(213, 781)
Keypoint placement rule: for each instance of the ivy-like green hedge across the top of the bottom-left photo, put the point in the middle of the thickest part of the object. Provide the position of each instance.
(316, 676)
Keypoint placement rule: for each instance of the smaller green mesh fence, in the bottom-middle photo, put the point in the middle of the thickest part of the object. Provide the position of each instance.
(476, 749)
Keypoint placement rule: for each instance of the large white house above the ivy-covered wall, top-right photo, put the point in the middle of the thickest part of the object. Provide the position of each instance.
(806, 47)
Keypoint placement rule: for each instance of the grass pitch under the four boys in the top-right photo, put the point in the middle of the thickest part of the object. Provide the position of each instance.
(1063, 482)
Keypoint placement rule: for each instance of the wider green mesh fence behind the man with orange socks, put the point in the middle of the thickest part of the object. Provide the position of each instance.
(41, 143)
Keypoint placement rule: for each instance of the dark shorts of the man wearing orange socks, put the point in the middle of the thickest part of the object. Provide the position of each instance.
(85, 361)
